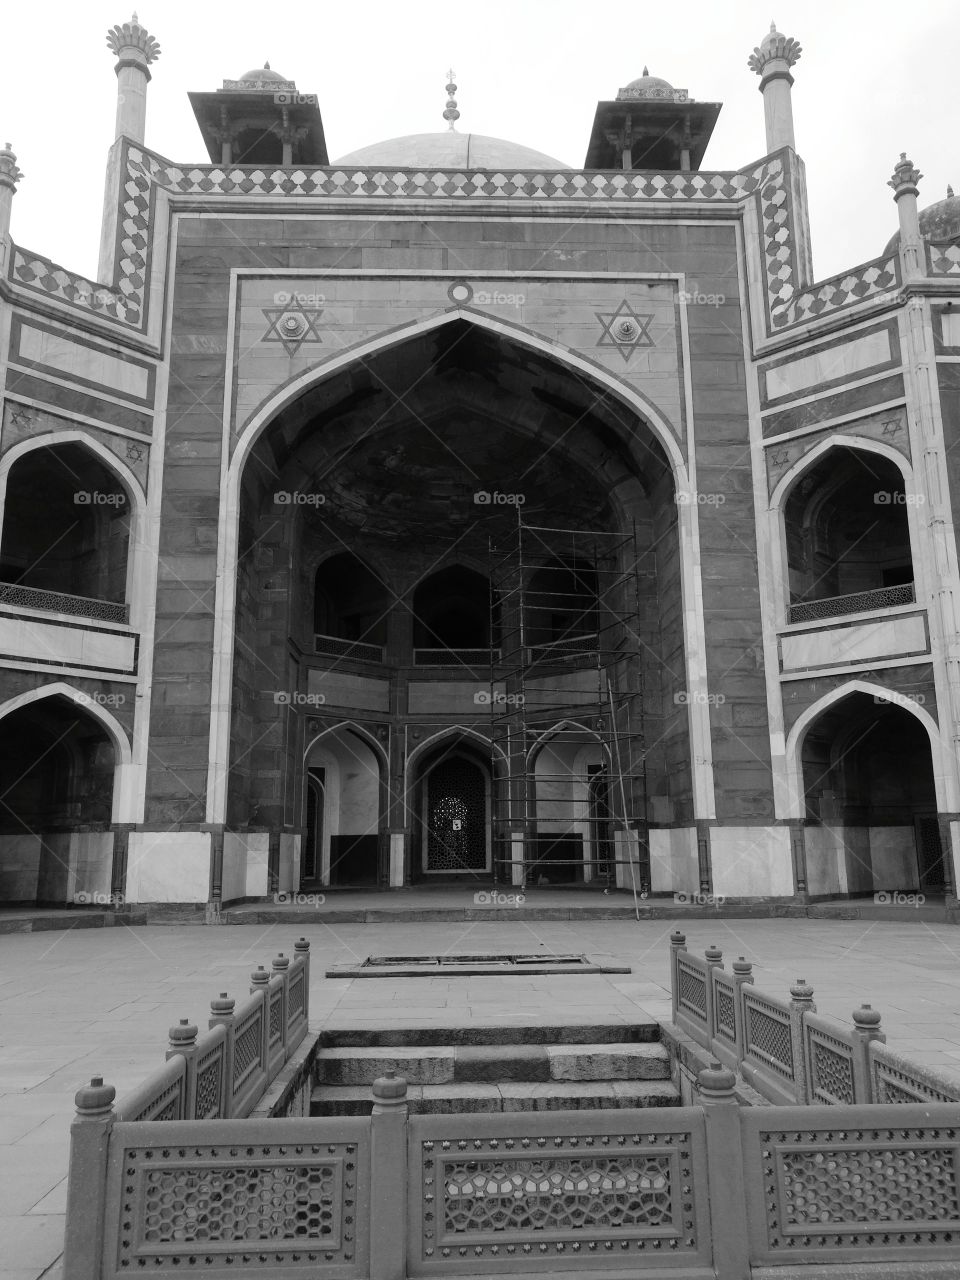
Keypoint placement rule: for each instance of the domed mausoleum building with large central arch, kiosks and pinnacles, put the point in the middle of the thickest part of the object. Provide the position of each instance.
(451, 514)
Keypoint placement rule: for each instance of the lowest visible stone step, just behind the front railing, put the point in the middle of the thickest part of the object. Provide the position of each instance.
(514, 1096)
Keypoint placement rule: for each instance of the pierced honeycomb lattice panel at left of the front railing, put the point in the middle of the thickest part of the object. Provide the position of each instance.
(200, 1212)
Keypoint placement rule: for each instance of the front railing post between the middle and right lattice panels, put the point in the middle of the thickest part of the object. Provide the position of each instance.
(725, 1173)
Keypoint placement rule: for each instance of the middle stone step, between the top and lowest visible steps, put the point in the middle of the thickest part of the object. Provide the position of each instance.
(495, 1064)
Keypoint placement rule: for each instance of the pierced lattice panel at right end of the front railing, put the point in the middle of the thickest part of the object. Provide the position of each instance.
(839, 1182)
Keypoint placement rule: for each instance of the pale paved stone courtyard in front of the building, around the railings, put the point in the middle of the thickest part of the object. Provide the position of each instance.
(80, 1003)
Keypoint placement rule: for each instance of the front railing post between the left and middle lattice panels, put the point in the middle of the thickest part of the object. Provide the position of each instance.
(388, 1180)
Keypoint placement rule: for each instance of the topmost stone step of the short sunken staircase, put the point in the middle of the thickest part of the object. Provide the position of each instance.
(614, 1032)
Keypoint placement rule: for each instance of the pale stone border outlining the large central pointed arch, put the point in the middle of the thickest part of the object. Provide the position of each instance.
(232, 469)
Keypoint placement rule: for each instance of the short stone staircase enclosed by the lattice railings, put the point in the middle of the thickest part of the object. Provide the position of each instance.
(497, 1069)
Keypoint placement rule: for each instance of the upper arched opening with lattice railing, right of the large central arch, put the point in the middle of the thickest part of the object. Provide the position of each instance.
(848, 537)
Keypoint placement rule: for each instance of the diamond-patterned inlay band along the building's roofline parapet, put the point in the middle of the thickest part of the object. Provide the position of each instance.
(790, 300)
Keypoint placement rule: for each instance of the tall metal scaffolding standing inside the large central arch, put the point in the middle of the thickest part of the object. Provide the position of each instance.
(568, 710)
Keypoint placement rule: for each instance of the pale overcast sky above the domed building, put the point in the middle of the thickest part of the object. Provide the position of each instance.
(875, 79)
